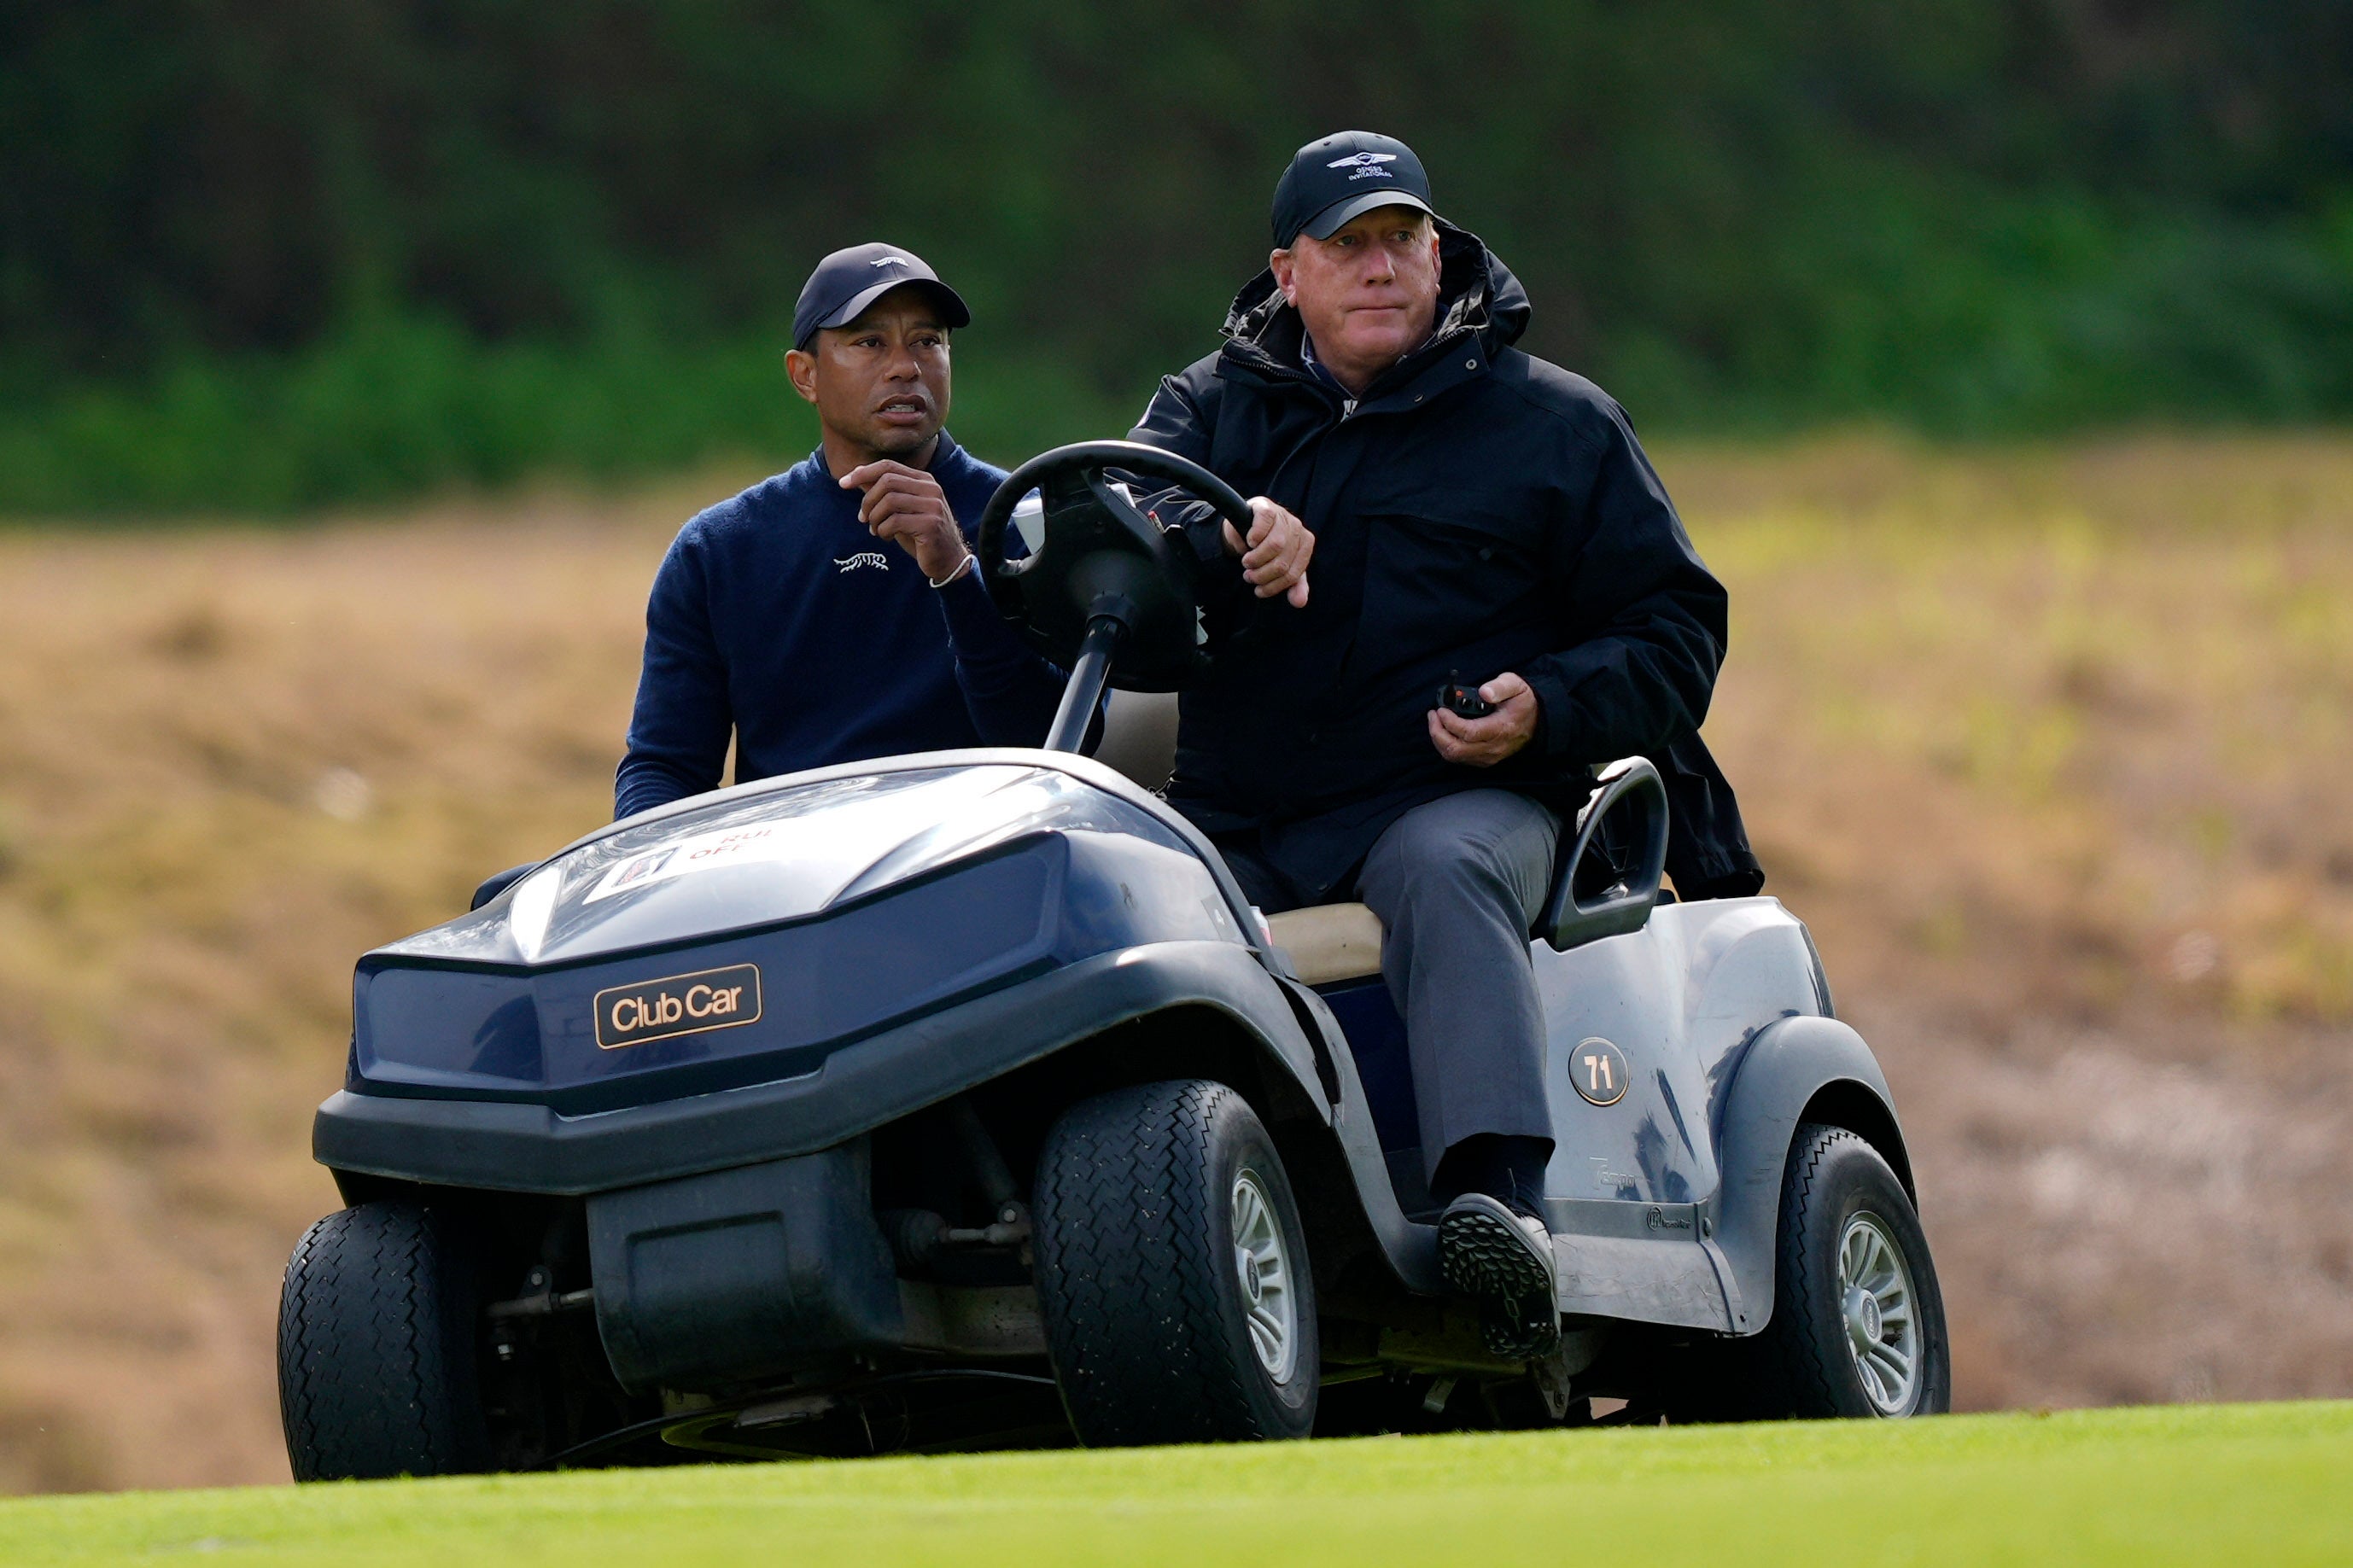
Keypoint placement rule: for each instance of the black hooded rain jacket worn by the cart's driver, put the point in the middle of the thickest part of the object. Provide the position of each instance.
(1477, 511)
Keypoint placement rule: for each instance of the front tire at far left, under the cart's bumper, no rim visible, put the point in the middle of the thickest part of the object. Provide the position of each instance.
(378, 1367)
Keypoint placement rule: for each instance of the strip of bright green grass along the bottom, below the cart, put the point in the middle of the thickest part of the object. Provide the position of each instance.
(2201, 1485)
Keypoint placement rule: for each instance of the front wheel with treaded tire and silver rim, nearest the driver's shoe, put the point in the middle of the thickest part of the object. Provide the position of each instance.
(1173, 1271)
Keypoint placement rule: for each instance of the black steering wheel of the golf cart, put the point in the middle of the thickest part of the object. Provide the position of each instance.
(1105, 563)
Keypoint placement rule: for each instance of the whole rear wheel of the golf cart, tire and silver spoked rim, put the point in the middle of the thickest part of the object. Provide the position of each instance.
(1858, 1325)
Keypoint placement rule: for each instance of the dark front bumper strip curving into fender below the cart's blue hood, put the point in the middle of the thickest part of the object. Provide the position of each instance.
(865, 1085)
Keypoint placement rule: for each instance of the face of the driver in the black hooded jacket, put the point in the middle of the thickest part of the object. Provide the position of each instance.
(1371, 293)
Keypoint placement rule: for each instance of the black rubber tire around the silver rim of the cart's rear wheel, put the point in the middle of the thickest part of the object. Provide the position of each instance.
(1806, 1365)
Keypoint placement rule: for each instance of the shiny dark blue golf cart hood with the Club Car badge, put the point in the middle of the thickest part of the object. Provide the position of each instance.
(742, 937)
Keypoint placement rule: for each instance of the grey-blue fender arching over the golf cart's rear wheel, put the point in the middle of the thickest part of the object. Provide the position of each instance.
(1787, 1068)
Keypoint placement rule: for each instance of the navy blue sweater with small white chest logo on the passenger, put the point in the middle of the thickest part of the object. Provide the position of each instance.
(780, 619)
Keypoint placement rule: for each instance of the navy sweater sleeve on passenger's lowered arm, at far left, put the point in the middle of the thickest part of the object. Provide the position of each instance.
(684, 718)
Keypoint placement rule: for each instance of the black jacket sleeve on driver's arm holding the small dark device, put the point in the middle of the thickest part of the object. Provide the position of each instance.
(1646, 615)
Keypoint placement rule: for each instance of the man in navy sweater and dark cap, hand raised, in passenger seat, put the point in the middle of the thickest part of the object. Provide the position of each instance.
(834, 612)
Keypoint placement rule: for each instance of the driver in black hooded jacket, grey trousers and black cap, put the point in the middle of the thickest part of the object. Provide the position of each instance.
(1467, 511)
